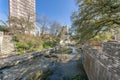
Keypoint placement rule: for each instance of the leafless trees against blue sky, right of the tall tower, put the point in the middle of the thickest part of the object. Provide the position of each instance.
(53, 29)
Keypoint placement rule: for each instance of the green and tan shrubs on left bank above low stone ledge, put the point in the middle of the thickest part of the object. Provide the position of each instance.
(30, 43)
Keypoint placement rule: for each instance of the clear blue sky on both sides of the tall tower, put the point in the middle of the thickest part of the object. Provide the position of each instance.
(55, 10)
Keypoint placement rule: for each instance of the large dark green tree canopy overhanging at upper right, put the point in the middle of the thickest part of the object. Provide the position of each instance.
(94, 16)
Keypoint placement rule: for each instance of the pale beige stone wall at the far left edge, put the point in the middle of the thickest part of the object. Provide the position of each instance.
(8, 48)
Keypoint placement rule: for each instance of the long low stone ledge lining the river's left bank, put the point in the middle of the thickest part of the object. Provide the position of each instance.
(14, 60)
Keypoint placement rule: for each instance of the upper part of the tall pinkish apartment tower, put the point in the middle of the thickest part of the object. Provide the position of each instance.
(23, 8)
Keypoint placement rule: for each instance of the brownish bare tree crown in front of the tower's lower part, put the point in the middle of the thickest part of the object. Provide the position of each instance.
(21, 25)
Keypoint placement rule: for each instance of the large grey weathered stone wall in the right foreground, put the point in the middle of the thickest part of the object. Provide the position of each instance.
(103, 64)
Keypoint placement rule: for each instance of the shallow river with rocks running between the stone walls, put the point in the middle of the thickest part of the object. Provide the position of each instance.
(50, 66)
